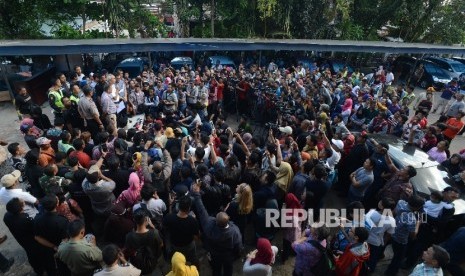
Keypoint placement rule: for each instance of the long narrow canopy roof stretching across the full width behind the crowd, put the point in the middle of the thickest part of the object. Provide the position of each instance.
(69, 46)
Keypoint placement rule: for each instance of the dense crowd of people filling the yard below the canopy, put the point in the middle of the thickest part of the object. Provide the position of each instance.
(135, 170)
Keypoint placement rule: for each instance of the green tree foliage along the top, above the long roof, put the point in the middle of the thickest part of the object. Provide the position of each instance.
(432, 21)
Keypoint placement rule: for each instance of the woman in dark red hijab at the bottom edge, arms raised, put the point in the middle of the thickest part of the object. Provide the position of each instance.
(259, 261)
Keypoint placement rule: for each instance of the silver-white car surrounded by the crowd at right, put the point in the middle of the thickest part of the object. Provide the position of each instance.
(429, 177)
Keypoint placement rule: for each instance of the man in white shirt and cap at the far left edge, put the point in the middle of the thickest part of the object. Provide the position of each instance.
(11, 190)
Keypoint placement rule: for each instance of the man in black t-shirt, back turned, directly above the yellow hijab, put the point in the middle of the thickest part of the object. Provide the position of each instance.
(182, 229)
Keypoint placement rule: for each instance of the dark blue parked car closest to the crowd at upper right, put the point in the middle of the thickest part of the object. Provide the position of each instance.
(433, 75)
